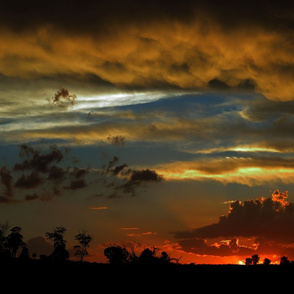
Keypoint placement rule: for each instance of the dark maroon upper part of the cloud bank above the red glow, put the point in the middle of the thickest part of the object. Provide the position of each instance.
(269, 218)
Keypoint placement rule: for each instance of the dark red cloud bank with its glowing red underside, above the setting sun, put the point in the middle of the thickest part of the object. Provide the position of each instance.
(268, 222)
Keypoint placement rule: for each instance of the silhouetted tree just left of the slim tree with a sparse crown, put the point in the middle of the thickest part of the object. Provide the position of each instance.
(59, 253)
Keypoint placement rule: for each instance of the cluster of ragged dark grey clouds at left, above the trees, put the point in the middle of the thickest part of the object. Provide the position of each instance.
(43, 172)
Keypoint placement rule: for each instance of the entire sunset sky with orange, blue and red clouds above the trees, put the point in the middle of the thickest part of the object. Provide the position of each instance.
(150, 123)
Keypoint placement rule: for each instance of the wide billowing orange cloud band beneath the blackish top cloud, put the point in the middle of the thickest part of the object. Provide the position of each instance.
(169, 52)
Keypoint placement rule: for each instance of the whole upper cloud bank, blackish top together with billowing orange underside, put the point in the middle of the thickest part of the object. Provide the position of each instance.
(179, 45)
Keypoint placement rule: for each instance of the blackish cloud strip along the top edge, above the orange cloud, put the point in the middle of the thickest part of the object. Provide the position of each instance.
(97, 14)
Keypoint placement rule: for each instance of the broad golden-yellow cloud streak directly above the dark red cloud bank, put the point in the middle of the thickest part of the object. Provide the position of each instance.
(248, 171)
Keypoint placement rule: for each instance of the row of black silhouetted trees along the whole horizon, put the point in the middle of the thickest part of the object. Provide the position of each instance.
(12, 246)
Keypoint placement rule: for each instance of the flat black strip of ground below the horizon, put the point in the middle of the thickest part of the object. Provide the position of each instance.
(86, 277)
